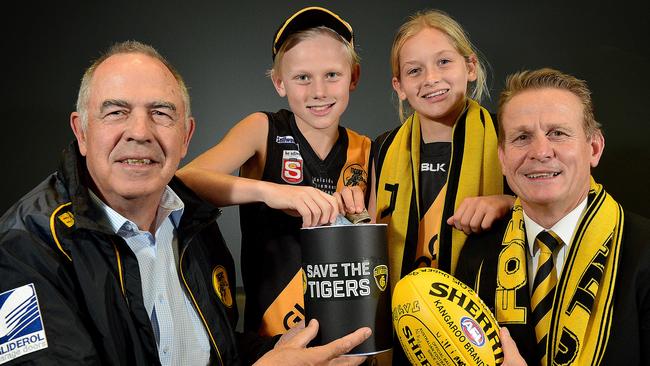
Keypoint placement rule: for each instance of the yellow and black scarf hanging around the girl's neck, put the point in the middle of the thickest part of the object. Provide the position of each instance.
(474, 171)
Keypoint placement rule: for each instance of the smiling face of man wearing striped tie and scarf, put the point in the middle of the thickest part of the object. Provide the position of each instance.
(546, 155)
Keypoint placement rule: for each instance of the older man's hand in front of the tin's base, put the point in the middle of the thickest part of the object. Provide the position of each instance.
(292, 350)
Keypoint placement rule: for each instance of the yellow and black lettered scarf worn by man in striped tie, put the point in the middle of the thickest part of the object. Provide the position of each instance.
(582, 308)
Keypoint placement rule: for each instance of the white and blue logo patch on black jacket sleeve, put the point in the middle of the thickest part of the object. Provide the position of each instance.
(21, 326)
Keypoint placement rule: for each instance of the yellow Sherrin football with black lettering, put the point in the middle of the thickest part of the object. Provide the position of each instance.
(441, 321)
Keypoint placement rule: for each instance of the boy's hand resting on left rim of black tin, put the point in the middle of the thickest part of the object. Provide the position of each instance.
(313, 205)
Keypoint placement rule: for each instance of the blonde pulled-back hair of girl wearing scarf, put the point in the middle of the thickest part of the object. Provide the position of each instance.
(443, 22)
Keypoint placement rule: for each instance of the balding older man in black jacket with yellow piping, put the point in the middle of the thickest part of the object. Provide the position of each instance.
(113, 261)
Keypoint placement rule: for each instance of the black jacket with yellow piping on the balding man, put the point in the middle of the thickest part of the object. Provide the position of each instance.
(87, 279)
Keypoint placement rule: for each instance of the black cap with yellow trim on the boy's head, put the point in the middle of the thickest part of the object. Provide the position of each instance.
(311, 17)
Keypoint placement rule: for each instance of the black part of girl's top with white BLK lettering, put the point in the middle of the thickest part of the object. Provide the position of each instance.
(434, 165)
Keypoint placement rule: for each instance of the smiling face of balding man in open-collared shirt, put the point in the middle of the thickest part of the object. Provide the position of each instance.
(137, 133)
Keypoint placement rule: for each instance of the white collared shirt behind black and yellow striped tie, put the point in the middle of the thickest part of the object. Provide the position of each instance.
(563, 228)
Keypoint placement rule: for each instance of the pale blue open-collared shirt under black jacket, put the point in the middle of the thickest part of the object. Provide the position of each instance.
(180, 335)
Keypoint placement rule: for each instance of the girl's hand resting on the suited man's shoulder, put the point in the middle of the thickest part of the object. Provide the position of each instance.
(476, 214)
